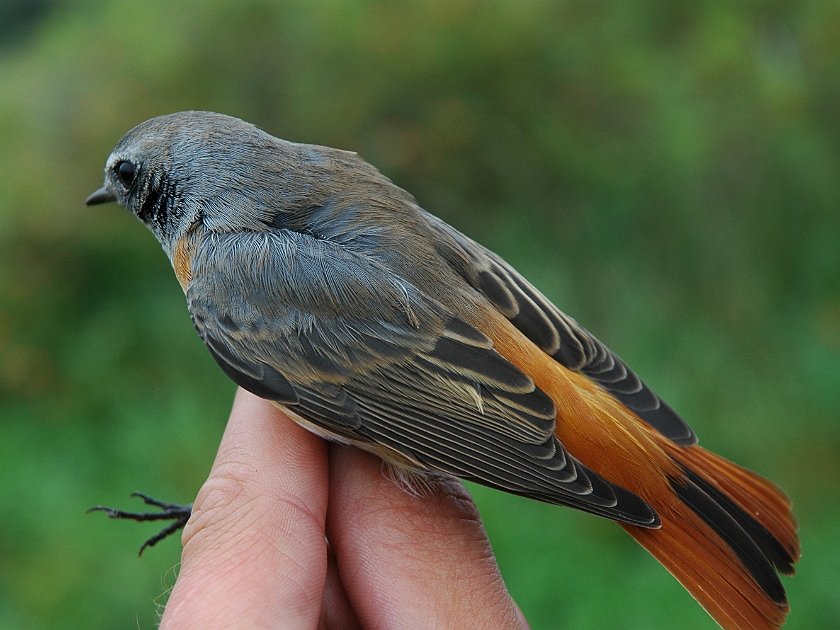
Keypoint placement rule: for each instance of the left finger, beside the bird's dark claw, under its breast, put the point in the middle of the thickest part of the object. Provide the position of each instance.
(254, 550)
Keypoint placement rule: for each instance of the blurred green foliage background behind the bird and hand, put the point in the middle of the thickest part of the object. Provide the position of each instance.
(666, 172)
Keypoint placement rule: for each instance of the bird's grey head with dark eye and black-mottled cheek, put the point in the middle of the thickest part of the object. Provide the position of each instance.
(176, 171)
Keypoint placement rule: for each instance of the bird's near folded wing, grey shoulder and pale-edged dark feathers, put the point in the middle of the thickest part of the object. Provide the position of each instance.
(368, 357)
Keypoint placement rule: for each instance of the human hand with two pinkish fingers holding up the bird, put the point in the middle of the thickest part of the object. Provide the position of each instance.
(256, 552)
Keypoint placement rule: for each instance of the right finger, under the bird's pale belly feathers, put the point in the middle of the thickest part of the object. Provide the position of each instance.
(409, 560)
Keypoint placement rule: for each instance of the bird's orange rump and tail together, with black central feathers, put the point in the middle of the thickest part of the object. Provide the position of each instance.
(725, 530)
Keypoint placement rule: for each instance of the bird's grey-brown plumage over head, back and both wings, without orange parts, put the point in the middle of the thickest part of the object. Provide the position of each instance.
(305, 297)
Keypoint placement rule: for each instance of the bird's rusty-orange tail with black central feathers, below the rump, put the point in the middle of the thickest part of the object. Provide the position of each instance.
(725, 532)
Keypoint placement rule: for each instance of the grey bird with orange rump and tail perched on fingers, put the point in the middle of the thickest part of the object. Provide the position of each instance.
(319, 285)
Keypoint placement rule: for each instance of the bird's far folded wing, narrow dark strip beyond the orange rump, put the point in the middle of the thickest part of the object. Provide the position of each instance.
(556, 333)
